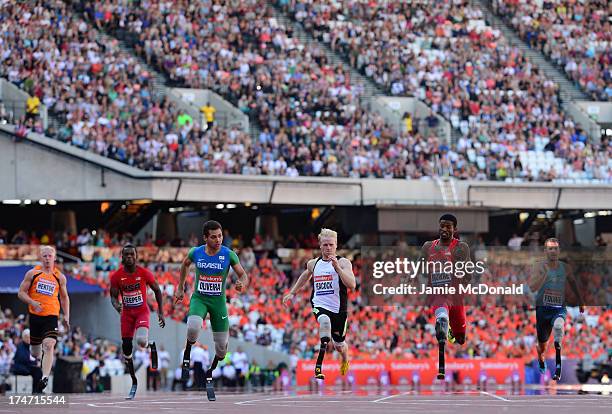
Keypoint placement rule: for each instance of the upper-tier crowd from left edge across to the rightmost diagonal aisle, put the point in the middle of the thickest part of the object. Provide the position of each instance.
(312, 120)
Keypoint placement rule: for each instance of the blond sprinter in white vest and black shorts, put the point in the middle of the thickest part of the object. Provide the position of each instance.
(331, 276)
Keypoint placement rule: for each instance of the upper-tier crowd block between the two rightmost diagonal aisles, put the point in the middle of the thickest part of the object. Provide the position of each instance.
(445, 55)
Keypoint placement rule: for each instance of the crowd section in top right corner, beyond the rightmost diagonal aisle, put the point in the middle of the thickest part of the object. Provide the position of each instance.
(575, 35)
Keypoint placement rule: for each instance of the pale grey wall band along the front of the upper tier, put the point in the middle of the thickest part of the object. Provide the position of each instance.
(79, 175)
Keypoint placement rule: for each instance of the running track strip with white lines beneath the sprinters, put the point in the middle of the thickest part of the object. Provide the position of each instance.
(472, 402)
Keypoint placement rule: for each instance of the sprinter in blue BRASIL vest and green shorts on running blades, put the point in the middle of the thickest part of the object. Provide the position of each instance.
(212, 261)
